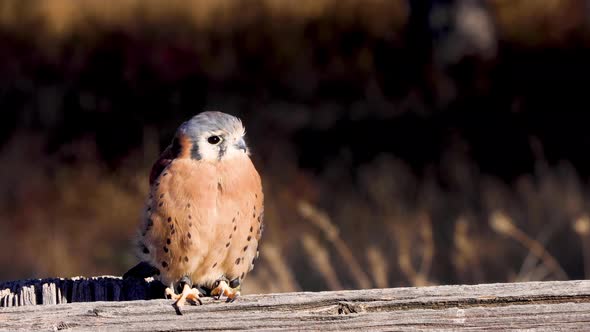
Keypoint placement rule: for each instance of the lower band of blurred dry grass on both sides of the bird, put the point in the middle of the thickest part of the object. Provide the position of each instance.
(77, 218)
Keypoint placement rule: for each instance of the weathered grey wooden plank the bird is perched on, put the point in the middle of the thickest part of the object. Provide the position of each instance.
(534, 305)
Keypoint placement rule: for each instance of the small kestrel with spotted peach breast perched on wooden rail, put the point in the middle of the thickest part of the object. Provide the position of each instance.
(203, 218)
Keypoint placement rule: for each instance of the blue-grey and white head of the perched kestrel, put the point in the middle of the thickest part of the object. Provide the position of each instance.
(211, 136)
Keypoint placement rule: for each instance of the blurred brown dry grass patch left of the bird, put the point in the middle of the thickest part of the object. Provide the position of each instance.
(67, 220)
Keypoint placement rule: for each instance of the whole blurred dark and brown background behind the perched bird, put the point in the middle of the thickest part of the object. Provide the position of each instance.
(400, 142)
